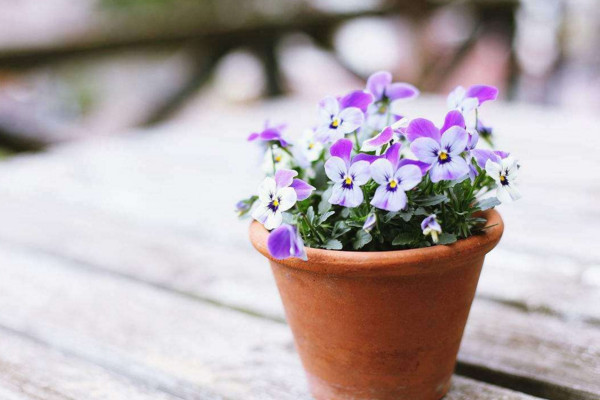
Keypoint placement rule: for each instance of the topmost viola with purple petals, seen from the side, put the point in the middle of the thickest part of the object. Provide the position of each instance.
(384, 92)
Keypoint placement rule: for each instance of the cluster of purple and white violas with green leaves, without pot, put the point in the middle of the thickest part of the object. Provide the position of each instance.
(368, 178)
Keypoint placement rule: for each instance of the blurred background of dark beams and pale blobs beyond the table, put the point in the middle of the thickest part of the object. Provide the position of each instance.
(74, 70)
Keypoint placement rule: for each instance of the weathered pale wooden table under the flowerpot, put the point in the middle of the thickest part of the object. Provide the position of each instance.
(125, 274)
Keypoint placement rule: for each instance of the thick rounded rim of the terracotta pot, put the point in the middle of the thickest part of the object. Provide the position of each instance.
(403, 262)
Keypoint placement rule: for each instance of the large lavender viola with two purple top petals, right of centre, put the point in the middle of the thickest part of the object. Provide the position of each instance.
(441, 151)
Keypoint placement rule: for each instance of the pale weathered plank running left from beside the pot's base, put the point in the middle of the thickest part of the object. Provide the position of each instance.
(141, 331)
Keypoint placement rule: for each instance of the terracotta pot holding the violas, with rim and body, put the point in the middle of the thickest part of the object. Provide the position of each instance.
(380, 325)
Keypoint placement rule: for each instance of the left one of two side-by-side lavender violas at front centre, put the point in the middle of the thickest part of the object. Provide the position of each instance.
(347, 176)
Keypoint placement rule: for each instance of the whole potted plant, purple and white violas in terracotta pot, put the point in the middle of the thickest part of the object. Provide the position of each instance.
(379, 225)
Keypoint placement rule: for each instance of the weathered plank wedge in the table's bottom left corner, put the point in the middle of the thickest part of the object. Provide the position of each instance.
(32, 371)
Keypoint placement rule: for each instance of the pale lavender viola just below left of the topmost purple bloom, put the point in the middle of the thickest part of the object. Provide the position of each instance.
(336, 122)
